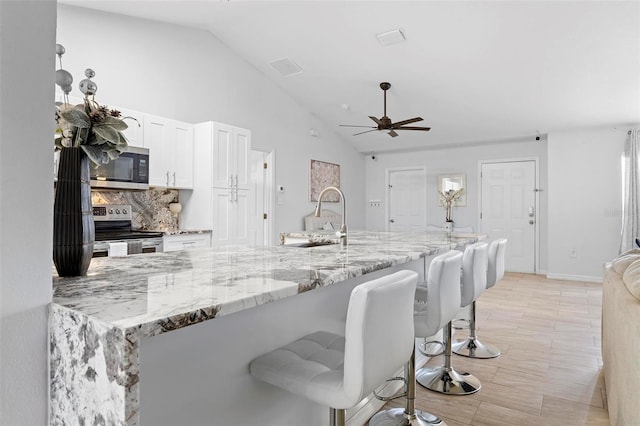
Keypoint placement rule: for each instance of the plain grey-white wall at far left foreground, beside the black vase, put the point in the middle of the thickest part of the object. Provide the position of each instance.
(27, 51)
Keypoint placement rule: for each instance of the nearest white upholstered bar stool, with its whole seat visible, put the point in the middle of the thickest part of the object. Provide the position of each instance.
(339, 371)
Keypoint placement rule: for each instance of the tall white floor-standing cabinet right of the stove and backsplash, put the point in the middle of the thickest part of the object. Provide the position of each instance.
(220, 199)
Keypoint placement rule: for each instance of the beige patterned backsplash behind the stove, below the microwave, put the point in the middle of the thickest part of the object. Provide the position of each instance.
(150, 209)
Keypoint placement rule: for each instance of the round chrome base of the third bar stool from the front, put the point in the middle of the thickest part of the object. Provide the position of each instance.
(447, 381)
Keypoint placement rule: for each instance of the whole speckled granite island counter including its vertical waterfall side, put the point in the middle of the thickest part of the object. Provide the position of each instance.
(97, 321)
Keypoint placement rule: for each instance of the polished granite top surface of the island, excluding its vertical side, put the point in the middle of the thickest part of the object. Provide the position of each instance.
(159, 292)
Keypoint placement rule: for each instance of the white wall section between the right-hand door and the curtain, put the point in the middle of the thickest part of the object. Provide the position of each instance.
(585, 201)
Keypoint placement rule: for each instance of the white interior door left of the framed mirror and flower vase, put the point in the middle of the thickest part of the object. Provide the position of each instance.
(406, 199)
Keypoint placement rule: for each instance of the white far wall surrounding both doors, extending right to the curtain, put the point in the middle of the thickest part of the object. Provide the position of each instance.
(580, 203)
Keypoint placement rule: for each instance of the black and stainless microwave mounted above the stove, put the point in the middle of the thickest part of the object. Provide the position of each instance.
(129, 171)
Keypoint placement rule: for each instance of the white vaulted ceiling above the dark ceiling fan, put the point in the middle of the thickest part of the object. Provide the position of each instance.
(475, 71)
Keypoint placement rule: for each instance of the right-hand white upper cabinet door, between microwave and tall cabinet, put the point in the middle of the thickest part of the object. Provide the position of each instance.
(181, 155)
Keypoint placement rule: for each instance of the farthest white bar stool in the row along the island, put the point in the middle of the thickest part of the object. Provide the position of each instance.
(471, 346)
